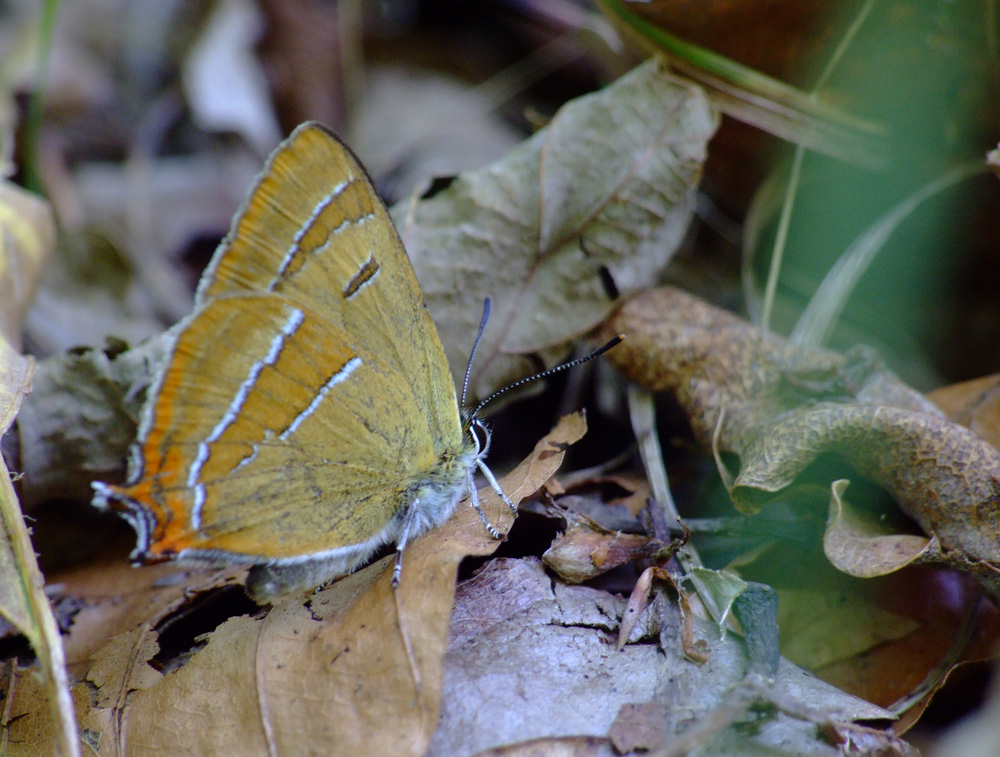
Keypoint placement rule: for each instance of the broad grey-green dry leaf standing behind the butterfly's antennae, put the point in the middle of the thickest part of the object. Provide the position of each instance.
(606, 188)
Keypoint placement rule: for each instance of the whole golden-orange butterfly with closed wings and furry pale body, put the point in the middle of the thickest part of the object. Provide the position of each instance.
(306, 415)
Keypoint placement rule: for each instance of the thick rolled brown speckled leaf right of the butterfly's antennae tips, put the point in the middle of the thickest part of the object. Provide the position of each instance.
(779, 406)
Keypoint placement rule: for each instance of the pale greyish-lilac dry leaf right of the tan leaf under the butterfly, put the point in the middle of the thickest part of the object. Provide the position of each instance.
(531, 658)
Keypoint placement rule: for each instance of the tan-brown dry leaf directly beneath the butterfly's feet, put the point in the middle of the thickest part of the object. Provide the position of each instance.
(357, 665)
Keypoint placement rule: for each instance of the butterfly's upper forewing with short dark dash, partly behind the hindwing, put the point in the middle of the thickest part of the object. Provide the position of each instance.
(315, 231)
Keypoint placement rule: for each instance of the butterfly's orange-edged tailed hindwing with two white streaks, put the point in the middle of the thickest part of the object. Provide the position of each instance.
(281, 409)
